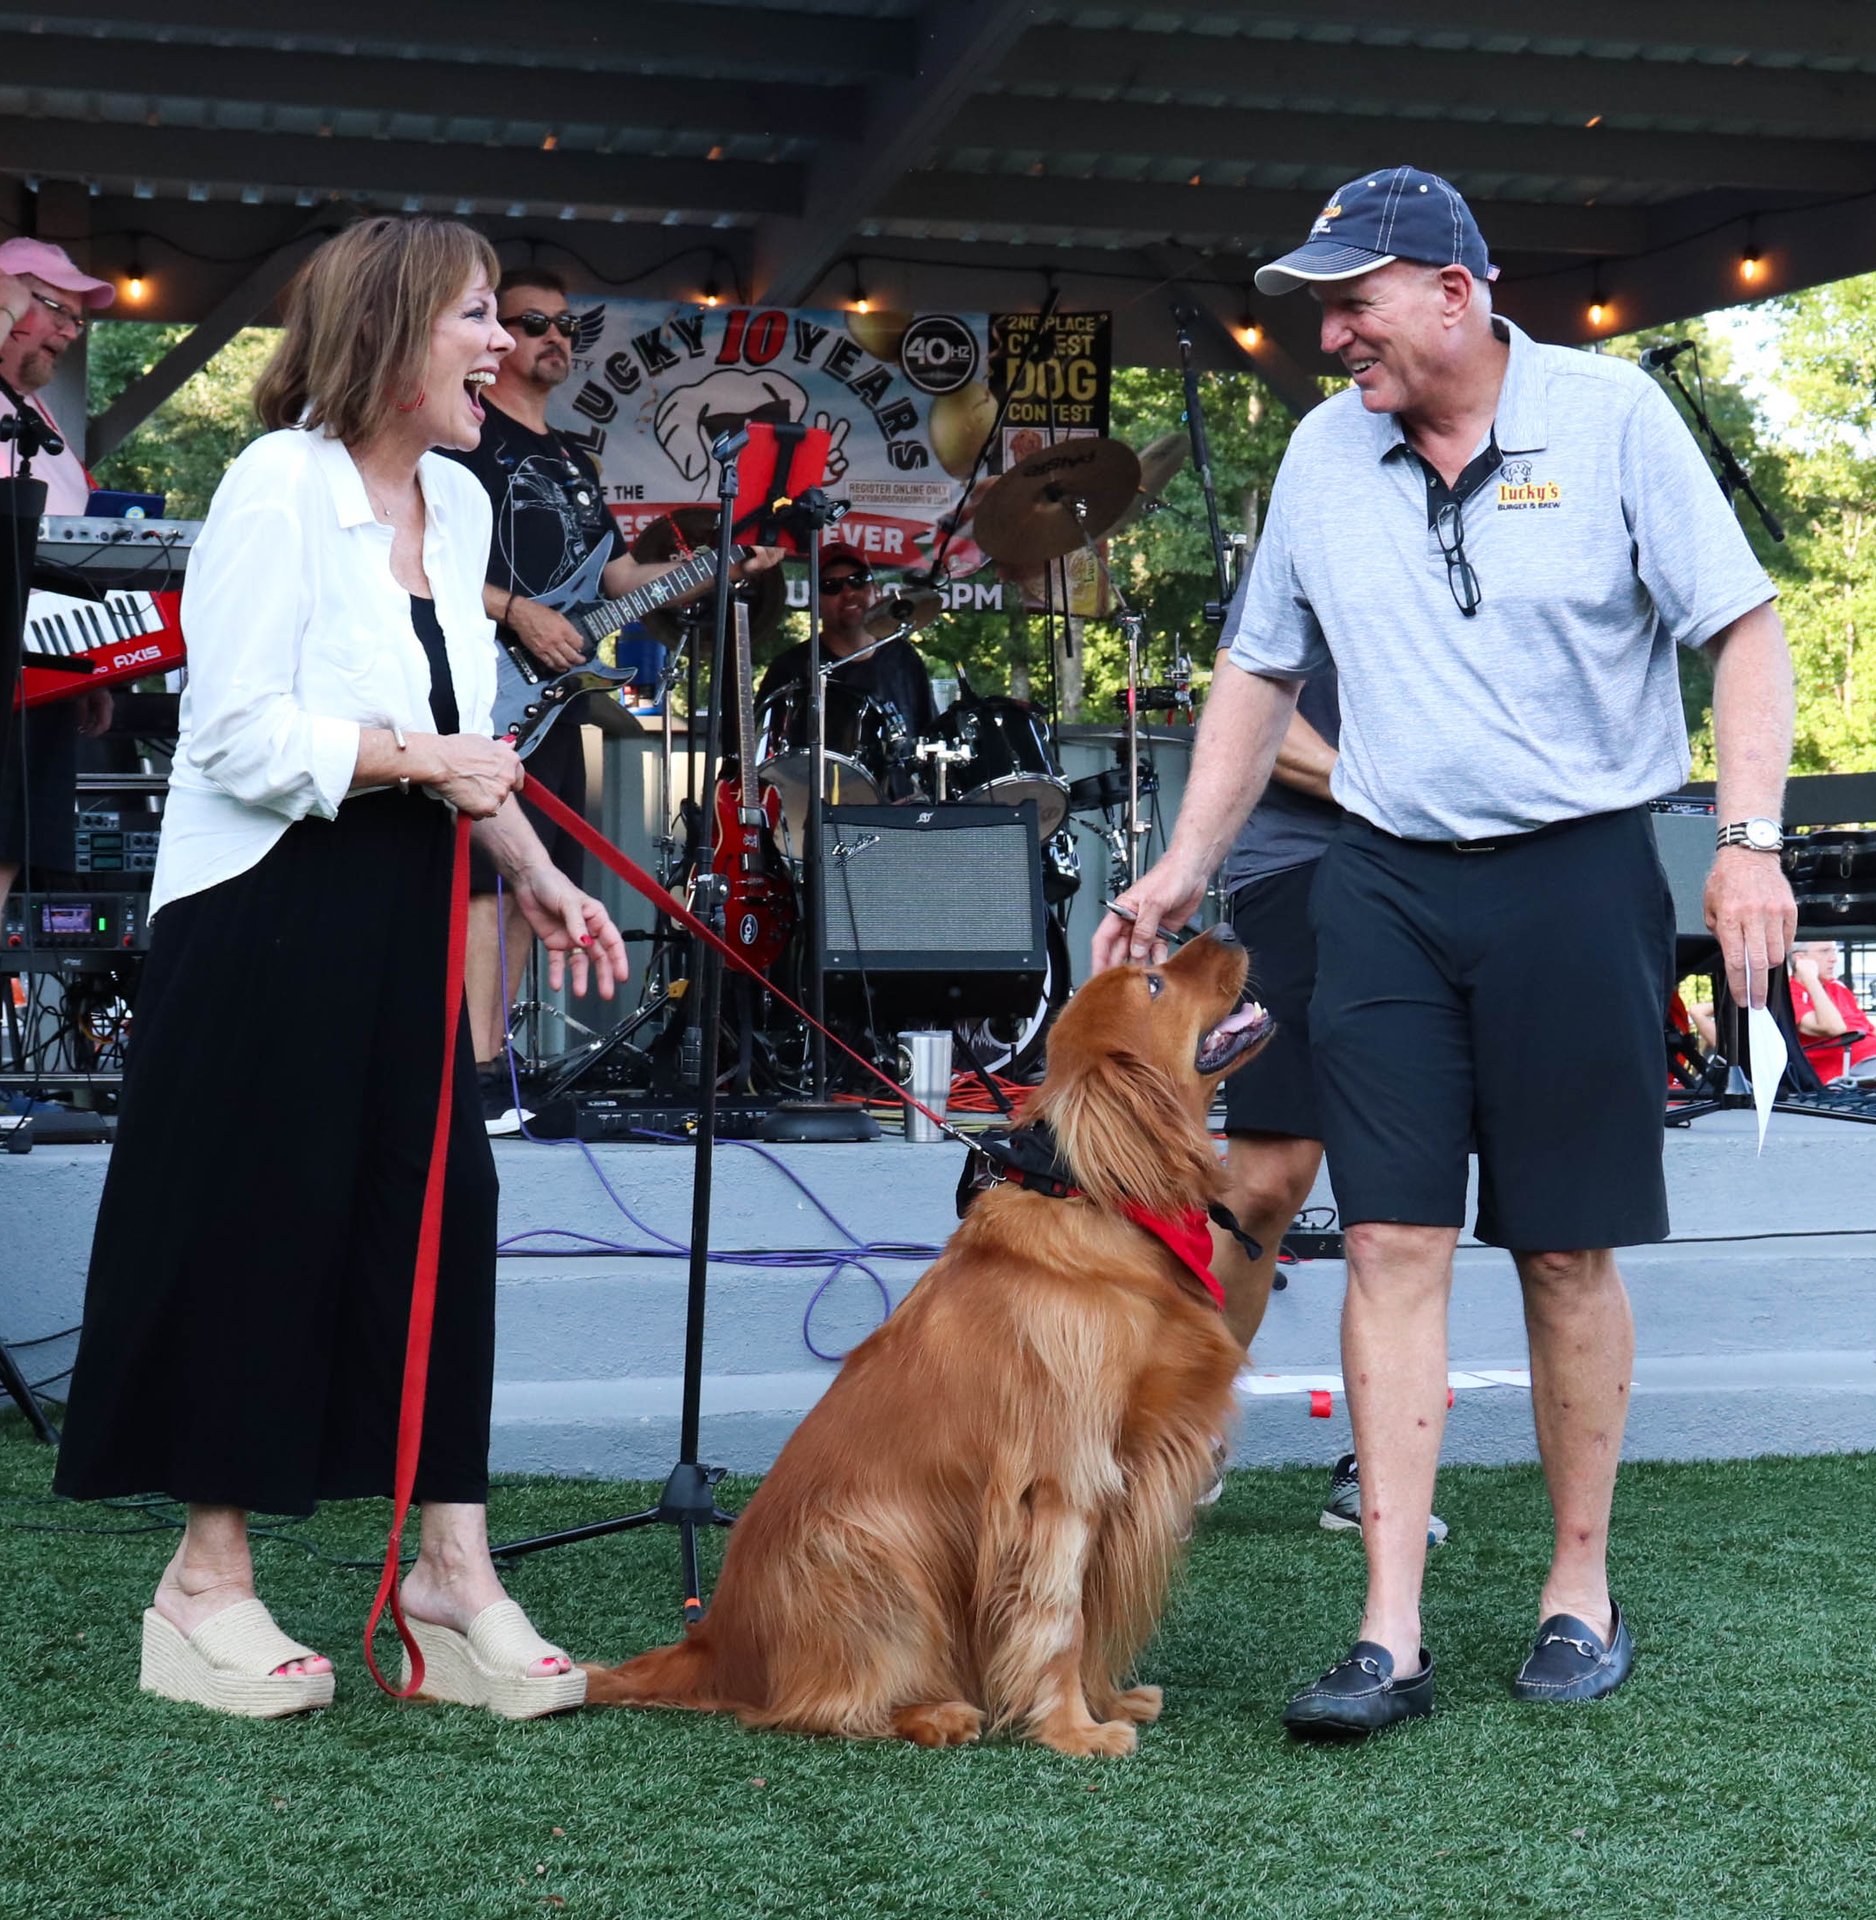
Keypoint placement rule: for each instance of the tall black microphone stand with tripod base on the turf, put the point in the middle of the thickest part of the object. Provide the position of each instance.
(690, 1495)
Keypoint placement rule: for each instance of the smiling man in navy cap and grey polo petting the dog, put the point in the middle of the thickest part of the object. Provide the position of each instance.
(1499, 546)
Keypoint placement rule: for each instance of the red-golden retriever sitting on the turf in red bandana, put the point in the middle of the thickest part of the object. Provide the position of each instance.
(976, 1525)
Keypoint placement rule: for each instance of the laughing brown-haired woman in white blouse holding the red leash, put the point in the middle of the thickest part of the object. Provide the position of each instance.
(251, 1276)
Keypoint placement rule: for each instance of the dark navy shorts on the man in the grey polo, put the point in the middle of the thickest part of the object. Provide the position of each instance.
(1512, 1003)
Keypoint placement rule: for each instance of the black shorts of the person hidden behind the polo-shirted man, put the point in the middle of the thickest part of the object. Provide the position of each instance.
(1276, 1093)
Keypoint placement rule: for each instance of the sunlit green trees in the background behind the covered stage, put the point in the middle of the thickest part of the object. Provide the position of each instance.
(1816, 466)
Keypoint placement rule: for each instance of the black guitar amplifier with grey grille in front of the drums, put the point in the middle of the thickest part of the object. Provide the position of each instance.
(934, 915)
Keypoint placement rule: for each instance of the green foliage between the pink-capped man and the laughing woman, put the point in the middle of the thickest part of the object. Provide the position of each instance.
(189, 443)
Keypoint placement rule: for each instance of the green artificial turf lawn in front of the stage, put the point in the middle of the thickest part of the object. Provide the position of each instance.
(1731, 1777)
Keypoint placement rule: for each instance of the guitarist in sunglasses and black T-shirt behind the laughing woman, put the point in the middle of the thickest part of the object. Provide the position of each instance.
(552, 531)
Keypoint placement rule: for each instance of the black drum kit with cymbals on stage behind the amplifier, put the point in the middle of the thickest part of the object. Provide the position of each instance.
(982, 752)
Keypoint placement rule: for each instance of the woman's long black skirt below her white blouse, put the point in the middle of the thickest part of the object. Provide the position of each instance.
(251, 1280)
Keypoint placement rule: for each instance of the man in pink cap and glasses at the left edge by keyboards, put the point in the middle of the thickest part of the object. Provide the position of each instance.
(45, 306)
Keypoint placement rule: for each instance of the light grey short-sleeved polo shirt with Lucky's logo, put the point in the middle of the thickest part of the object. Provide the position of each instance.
(1600, 544)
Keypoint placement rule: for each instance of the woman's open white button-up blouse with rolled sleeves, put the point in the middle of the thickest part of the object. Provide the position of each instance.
(299, 638)
